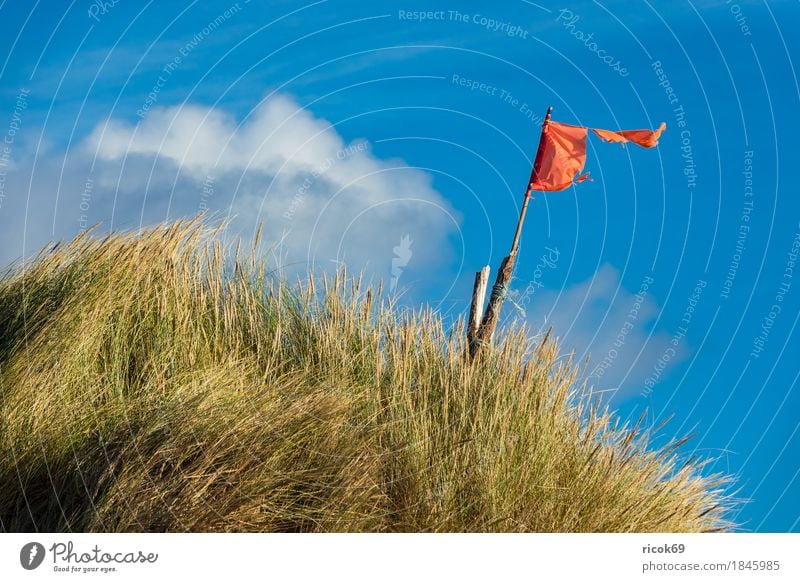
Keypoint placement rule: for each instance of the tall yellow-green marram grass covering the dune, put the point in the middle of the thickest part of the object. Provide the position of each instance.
(158, 382)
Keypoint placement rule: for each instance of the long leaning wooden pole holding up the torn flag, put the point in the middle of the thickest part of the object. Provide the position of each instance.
(503, 279)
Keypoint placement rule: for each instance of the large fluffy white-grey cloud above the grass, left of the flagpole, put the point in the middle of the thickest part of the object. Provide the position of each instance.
(322, 200)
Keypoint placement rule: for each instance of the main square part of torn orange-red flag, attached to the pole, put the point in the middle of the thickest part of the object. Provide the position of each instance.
(561, 156)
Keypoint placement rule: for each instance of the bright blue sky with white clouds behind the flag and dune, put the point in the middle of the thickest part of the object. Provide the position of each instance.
(365, 133)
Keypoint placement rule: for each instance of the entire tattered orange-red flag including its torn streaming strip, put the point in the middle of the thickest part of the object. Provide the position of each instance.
(562, 152)
